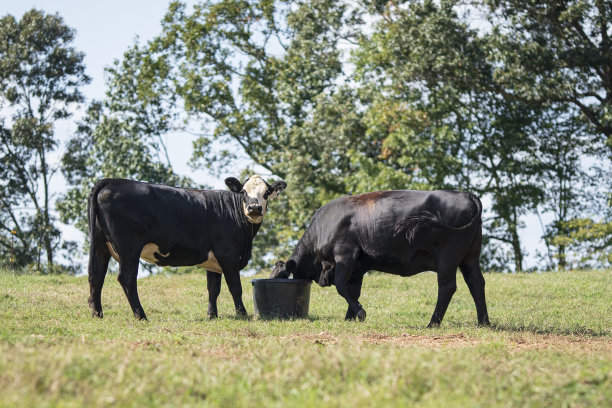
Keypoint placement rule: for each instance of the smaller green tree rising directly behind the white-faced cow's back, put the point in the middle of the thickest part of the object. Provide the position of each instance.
(121, 136)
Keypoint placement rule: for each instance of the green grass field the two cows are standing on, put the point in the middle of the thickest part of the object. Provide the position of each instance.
(550, 345)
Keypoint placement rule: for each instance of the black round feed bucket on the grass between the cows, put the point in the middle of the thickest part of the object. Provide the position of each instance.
(281, 298)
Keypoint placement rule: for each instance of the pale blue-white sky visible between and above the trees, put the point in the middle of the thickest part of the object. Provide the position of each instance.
(104, 31)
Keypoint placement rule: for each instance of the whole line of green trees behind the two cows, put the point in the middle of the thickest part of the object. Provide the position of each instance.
(509, 99)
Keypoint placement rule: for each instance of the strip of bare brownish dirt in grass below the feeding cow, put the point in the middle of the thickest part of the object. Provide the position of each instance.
(460, 340)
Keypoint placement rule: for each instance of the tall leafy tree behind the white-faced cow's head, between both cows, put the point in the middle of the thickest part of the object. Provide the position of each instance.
(261, 78)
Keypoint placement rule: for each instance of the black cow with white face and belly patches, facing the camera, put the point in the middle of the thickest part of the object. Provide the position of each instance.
(129, 220)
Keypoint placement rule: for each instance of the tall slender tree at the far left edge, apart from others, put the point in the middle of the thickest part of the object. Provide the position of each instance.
(40, 77)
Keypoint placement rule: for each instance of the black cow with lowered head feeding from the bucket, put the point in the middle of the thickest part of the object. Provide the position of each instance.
(400, 232)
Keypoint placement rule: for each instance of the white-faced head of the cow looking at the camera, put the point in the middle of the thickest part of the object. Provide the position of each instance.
(255, 195)
